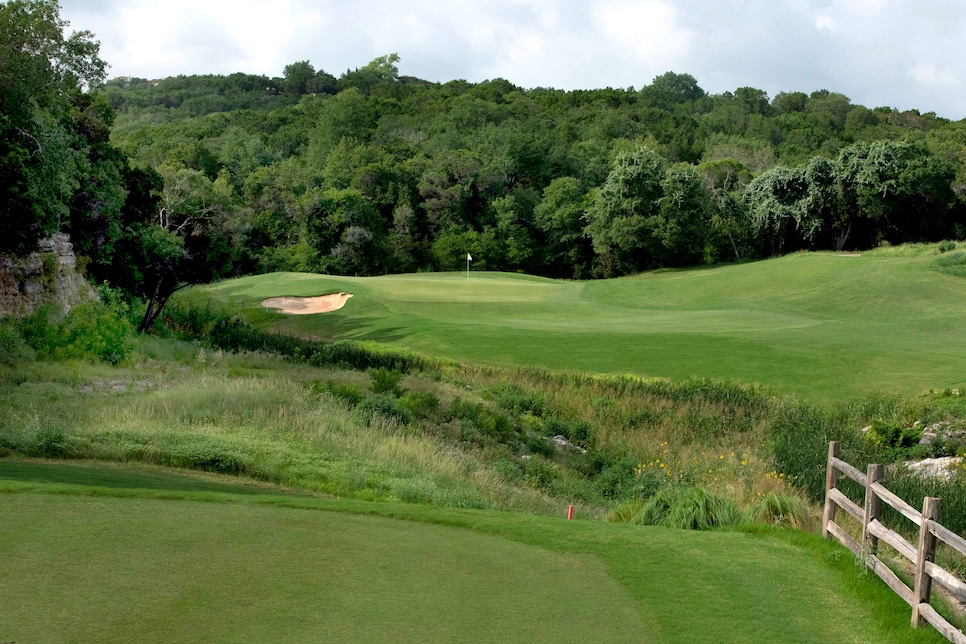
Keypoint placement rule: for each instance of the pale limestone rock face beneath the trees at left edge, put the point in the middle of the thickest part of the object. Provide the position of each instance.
(49, 275)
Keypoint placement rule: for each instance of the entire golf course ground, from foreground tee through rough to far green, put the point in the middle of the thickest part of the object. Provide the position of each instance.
(192, 493)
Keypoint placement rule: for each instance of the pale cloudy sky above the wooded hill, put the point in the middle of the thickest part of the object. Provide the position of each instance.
(907, 54)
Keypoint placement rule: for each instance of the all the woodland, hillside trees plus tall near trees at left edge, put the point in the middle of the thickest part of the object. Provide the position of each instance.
(166, 182)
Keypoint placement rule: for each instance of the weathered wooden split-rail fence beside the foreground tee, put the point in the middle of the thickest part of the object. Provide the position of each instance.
(873, 531)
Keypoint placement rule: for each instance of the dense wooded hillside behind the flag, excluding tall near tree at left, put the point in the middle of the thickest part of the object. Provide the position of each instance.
(374, 172)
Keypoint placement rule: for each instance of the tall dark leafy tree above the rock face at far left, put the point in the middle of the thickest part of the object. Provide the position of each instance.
(41, 73)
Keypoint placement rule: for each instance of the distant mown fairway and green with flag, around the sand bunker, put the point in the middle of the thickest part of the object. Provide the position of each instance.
(822, 325)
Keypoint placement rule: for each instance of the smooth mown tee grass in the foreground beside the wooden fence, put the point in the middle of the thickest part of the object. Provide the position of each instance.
(114, 563)
